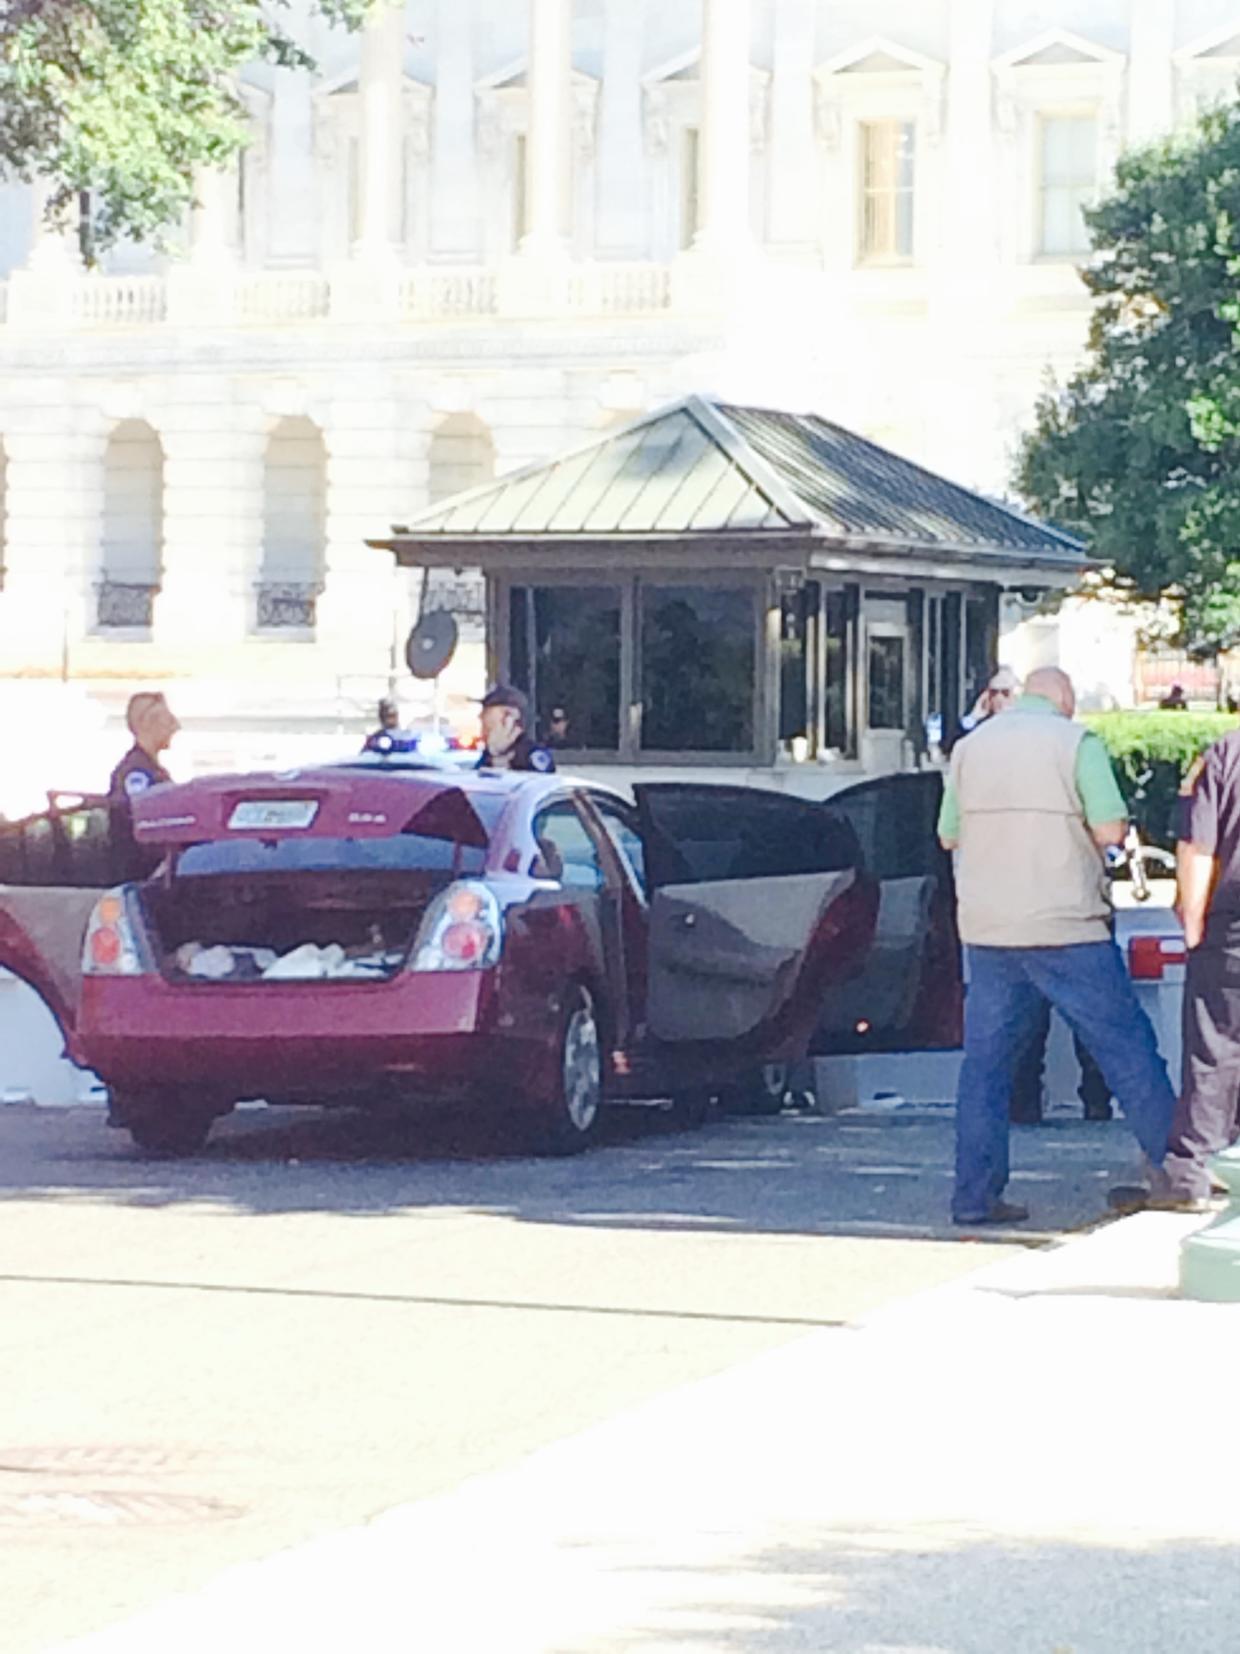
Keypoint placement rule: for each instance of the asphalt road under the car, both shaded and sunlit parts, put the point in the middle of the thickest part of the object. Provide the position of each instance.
(322, 1317)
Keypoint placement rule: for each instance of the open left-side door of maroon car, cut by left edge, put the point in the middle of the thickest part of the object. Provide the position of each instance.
(54, 868)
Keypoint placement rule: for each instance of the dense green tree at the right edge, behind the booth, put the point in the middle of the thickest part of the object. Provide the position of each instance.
(1142, 449)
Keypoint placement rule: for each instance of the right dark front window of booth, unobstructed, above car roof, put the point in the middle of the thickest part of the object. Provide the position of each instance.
(699, 649)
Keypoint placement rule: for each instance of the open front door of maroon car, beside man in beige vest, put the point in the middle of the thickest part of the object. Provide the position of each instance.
(910, 995)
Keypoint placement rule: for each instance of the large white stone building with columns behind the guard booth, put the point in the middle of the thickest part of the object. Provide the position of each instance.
(489, 229)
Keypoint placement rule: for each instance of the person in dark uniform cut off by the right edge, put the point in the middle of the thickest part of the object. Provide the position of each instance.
(1208, 863)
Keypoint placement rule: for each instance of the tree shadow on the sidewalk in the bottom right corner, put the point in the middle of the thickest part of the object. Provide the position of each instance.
(938, 1589)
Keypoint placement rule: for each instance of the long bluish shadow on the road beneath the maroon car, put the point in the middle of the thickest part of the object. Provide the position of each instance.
(801, 1174)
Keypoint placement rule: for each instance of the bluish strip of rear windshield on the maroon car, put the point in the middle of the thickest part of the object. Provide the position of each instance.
(401, 854)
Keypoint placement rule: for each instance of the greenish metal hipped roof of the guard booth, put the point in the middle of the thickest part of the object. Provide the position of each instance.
(710, 469)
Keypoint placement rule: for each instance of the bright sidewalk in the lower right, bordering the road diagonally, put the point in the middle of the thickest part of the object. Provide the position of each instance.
(1003, 1465)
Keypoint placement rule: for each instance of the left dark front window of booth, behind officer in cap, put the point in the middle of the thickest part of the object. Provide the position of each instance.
(565, 651)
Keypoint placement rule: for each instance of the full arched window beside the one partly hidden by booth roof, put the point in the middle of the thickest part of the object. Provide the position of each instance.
(295, 527)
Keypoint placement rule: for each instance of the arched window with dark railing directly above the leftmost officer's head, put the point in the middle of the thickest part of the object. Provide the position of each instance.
(133, 528)
